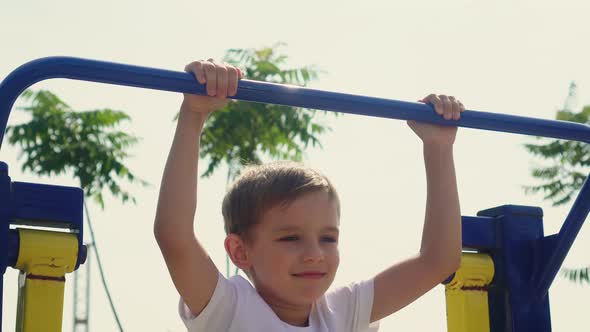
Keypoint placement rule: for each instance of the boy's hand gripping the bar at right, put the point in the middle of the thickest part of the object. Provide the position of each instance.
(449, 108)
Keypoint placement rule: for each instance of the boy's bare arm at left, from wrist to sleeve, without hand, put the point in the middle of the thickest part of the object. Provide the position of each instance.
(193, 272)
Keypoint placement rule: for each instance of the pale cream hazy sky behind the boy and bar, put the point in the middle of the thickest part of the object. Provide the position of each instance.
(514, 57)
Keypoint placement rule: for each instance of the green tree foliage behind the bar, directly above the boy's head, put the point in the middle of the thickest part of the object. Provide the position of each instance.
(244, 132)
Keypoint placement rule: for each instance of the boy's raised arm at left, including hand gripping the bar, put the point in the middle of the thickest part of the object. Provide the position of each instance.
(193, 272)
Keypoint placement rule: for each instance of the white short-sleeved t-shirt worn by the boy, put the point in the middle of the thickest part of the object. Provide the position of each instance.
(236, 306)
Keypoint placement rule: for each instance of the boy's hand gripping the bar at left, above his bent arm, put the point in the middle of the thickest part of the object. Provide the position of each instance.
(221, 80)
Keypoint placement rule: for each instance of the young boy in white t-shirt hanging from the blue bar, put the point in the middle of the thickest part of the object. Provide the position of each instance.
(282, 222)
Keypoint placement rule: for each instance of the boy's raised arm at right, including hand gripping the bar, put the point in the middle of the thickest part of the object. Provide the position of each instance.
(440, 251)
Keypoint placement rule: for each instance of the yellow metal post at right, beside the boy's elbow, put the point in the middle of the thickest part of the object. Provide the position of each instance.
(467, 296)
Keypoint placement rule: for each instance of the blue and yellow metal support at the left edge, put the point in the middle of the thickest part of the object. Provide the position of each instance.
(43, 257)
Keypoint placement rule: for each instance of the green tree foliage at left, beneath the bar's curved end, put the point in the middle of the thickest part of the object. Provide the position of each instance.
(58, 139)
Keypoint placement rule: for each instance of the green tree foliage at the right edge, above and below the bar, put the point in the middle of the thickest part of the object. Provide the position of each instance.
(569, 162)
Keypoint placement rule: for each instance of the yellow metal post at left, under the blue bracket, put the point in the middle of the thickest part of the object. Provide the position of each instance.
(44, 259)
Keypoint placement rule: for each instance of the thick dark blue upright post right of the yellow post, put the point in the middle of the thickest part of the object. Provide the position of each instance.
(519, 230)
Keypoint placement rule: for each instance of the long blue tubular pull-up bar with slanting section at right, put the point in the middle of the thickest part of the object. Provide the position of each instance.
(112, 73)
